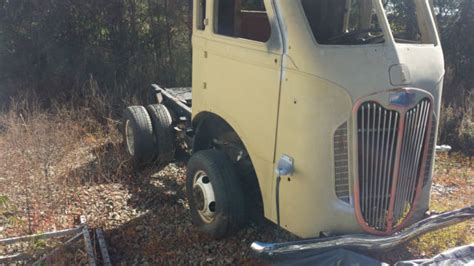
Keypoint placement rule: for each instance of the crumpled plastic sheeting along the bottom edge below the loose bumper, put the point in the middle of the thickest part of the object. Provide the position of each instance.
(341, 257)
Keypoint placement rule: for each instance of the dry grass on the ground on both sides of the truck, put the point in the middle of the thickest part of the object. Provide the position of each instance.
(51, 161)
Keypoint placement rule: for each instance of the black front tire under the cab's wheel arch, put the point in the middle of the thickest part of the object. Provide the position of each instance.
(229, 203)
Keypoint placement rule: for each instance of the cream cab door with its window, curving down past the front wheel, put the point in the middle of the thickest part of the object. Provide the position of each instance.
(243, 65)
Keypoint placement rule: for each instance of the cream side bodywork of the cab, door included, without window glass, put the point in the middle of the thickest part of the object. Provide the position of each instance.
(241, 84)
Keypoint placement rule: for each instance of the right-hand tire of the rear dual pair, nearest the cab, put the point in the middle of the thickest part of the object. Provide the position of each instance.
(163, 132)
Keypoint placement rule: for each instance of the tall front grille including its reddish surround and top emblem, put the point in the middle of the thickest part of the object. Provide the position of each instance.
(383, 208)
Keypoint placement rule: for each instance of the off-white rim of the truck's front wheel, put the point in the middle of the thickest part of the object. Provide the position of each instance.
(204, 197)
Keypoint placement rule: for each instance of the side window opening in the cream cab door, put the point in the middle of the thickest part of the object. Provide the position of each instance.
(246, 19)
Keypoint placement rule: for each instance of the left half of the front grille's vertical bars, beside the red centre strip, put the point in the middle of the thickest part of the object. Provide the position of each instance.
(377, 138)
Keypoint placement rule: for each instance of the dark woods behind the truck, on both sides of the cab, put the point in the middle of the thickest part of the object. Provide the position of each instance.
(52, 48)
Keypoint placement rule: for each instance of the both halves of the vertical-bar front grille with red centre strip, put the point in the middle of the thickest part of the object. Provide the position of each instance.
(389, 171)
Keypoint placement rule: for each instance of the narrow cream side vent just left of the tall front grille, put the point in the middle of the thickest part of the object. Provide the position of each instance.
(341, 163)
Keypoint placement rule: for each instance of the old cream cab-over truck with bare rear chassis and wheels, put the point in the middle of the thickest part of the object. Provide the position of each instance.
(322, 114)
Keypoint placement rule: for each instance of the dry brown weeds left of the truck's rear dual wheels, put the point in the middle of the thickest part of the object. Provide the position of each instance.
(46, 154)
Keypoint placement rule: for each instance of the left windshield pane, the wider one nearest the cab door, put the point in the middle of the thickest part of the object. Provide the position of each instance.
(343, 22)
